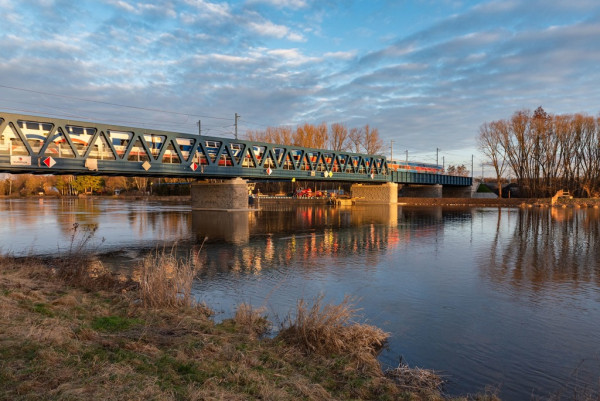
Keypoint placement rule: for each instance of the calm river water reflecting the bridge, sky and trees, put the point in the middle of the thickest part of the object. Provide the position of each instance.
(503, 298)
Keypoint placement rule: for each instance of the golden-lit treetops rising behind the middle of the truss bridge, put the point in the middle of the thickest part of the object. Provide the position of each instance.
(336, 137)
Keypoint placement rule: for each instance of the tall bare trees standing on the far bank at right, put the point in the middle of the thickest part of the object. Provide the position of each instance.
(544, 152)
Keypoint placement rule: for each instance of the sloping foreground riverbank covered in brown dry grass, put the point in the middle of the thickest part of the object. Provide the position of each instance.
(71, 330)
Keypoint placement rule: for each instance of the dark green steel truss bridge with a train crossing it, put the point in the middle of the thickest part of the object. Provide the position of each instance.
(43, 145)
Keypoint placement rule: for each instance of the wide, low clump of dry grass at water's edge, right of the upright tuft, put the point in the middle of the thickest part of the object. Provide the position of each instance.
(332, 329)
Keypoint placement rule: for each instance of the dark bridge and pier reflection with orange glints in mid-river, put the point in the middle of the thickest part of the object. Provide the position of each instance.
(310, 234)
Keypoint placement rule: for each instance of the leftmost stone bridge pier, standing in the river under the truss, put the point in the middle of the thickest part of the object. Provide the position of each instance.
(224, 195)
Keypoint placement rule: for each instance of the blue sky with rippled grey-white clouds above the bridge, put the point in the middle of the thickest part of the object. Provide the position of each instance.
(427, 74)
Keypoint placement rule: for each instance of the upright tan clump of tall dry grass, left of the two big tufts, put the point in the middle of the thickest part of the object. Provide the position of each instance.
(166, 280)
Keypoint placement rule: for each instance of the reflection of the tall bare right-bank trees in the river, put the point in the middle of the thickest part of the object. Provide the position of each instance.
(557, 246)
